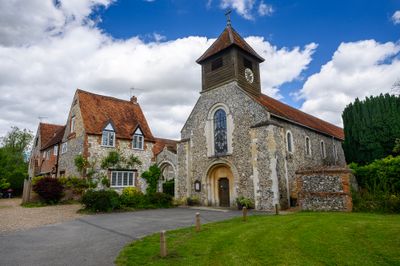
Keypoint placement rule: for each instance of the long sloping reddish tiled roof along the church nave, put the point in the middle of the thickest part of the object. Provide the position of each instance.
(285, 111)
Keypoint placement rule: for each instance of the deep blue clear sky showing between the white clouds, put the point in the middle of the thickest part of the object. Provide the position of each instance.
(292, 23)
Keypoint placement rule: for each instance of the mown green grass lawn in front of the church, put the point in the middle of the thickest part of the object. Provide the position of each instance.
(295, 239)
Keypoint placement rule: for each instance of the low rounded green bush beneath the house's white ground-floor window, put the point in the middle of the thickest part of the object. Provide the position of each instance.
(101, 200)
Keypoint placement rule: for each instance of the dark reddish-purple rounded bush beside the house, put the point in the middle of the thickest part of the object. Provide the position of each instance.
(49, 189)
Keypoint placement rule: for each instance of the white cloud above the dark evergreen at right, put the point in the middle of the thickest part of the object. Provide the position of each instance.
(357, 69)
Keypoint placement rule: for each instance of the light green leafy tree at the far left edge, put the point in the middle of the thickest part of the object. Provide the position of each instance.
(13, 163)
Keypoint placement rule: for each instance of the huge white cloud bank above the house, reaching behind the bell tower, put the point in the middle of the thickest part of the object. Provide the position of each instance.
(39, 75)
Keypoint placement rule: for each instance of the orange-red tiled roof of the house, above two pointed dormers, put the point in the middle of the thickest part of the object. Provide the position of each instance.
(125, 116)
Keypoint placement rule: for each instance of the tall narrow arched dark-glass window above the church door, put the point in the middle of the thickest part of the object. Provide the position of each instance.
(220, 130)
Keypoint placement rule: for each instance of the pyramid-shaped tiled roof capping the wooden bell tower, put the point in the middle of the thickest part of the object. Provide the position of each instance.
(228, 38)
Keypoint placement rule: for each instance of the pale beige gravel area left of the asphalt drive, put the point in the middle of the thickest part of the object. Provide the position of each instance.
(13, 217)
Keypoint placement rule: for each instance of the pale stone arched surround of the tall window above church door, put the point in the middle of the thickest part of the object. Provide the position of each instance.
(210, 129)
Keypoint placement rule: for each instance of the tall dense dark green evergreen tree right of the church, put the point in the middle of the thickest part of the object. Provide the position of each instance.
(371, 128)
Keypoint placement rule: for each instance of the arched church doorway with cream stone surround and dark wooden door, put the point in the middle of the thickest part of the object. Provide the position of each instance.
(220, 186)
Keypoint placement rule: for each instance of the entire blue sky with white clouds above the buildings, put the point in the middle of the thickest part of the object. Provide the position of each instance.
(319, 55)
